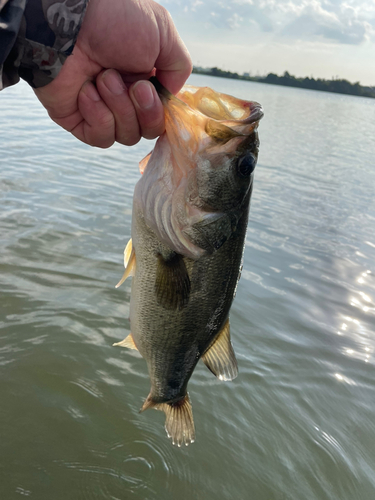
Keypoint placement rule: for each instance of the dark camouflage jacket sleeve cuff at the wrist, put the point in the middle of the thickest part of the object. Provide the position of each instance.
(36, 37)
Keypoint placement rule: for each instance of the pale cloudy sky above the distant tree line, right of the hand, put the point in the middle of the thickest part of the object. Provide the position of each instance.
(319, 38)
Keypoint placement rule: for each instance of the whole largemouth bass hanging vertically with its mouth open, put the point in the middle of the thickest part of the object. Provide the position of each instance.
(189, 221)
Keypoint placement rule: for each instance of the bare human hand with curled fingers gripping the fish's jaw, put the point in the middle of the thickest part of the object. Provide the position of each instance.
(136, 38)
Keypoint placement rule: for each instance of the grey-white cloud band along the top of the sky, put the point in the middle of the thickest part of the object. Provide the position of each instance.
(341, 21)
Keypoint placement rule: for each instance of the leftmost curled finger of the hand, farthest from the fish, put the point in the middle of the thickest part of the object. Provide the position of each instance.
(97, 127)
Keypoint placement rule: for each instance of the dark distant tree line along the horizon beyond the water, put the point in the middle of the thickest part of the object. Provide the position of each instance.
(339, 86)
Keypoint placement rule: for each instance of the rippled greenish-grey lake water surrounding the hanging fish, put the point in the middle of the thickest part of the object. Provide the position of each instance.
(299, 421)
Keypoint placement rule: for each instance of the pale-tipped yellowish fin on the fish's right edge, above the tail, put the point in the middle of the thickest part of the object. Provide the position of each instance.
(220, 357)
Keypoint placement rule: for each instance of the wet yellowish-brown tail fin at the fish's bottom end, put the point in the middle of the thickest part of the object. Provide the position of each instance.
(179, 422)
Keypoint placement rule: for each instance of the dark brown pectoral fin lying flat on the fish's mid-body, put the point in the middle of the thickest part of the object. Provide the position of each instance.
(172, 283)
